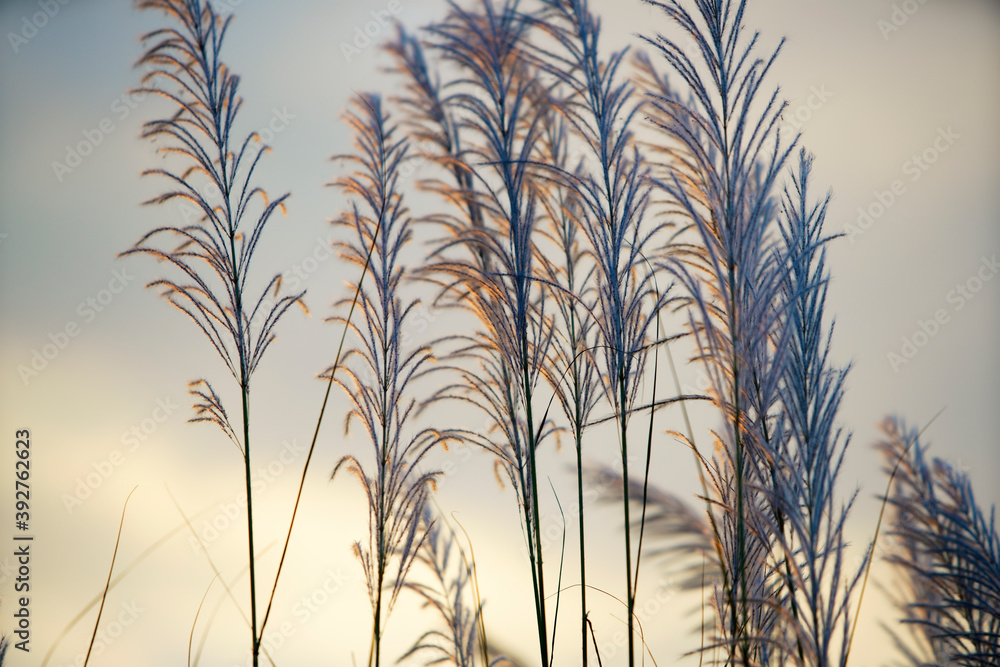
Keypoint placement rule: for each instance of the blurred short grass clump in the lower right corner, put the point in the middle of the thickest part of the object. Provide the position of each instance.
(947, 555)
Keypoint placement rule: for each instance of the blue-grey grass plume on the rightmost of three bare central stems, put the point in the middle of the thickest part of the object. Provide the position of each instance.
(600, 105)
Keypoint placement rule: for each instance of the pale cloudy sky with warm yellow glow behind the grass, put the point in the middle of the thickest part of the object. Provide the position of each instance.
(899, 103)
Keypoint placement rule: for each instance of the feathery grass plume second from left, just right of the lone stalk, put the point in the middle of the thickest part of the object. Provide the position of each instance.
(396, 488)
